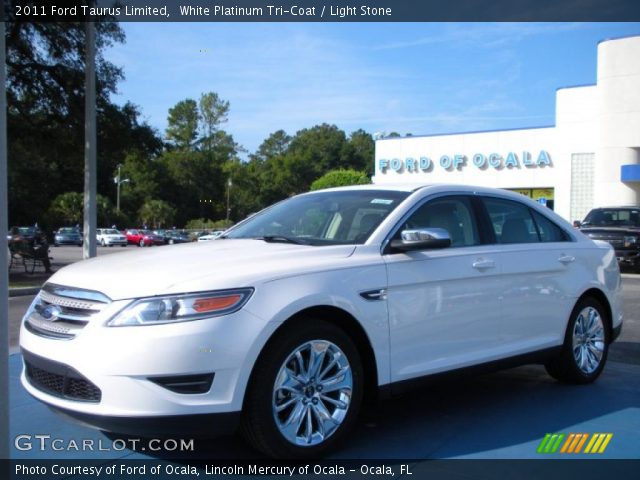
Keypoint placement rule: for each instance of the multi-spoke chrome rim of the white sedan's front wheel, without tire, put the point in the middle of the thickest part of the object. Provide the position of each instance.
(312, 393)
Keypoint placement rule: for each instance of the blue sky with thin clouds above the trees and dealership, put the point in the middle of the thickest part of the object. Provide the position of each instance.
(418, 78)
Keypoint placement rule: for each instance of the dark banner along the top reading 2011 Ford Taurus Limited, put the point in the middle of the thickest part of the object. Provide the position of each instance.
(324, 11)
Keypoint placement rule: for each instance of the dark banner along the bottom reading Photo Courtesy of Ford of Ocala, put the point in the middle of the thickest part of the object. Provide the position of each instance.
(352, 469)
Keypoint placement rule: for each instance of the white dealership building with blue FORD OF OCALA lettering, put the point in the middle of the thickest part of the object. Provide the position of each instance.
(591, 157)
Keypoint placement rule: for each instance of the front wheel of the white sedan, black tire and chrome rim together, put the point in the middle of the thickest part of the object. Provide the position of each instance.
(307, 394)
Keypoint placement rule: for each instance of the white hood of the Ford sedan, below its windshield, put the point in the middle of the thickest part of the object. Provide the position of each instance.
(196, 267)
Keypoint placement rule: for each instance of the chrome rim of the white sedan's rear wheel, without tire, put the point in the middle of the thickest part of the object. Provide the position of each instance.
(588, 340)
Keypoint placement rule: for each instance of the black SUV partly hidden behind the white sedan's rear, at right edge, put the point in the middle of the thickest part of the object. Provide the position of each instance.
(620, 226)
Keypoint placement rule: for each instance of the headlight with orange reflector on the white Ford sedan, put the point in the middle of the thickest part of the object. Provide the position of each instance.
(181, 308)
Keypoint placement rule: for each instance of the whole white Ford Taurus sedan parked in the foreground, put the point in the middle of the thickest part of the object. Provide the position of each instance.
(282, 324)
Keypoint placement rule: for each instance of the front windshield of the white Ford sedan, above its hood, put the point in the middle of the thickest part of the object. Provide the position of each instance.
(322, 218)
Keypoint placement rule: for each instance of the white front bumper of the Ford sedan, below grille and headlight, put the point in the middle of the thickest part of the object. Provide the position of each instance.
(126, 364)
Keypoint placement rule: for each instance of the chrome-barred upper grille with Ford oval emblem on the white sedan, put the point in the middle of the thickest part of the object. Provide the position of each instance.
(61, 312)
